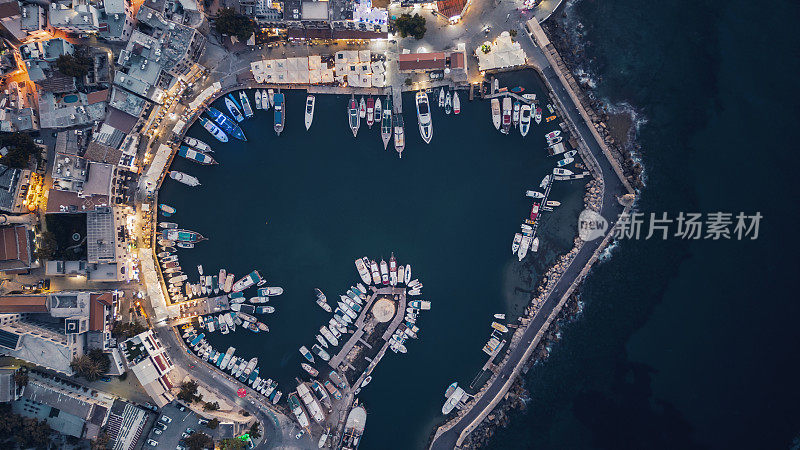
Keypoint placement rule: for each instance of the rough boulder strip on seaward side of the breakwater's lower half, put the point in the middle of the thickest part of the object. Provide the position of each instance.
(517, 397)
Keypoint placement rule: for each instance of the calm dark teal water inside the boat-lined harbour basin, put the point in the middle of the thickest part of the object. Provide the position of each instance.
(301, 207)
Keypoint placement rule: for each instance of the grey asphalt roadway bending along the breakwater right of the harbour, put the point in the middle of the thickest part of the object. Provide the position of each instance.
(610, 210)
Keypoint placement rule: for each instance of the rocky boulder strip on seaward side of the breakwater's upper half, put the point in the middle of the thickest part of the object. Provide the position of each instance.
(616, 130)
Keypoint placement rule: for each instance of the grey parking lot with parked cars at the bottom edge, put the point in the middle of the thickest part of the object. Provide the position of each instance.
(174, 422)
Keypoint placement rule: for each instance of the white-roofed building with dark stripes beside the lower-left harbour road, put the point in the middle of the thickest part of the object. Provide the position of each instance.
(148, 359)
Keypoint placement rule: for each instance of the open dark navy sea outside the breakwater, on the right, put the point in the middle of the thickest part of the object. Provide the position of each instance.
(688, 344)
